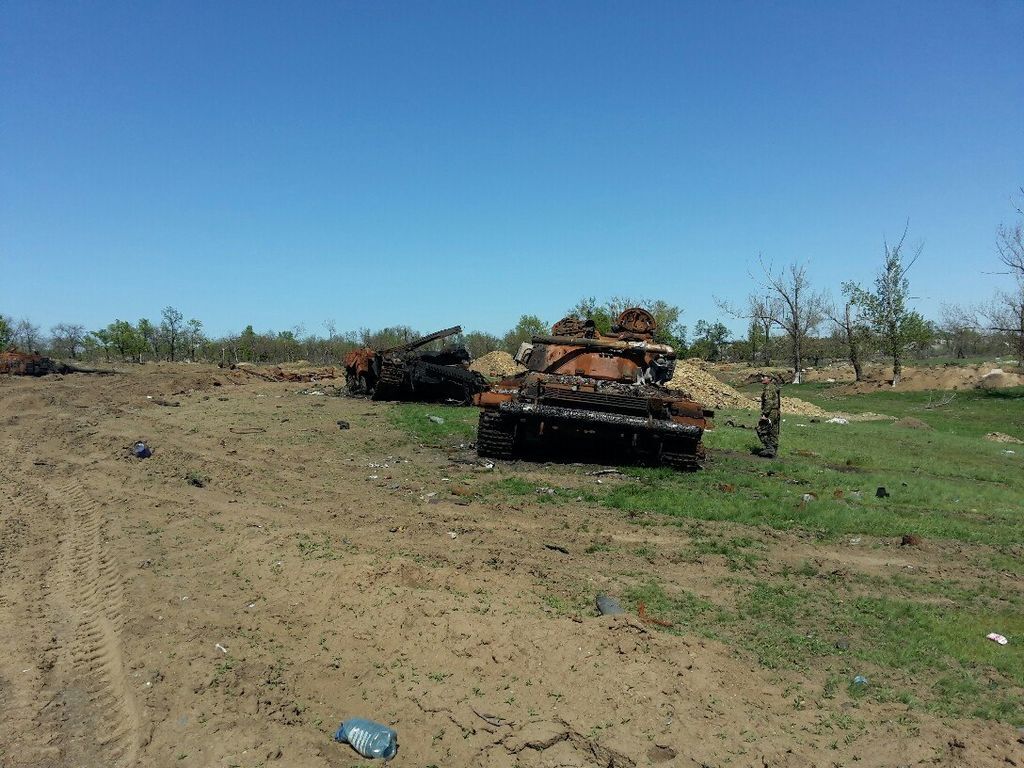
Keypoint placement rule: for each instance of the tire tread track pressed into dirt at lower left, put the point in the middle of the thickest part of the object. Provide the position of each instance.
(77, 706)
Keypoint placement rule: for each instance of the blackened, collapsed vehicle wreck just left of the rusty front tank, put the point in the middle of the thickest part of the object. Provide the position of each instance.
(408, 372)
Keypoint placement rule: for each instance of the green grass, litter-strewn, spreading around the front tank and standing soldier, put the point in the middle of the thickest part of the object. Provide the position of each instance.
(918, 638)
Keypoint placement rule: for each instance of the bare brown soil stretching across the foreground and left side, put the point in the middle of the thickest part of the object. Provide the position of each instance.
(266, 575)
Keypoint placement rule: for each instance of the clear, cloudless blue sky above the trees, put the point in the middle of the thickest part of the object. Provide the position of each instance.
(417, 163)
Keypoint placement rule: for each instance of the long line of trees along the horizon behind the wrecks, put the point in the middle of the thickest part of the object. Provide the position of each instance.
(788, 320)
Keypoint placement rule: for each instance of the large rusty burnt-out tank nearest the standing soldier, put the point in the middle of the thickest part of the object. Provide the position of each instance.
(591, 396)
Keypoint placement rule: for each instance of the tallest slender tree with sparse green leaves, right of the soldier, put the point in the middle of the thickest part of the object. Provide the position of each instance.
(886, 307)
